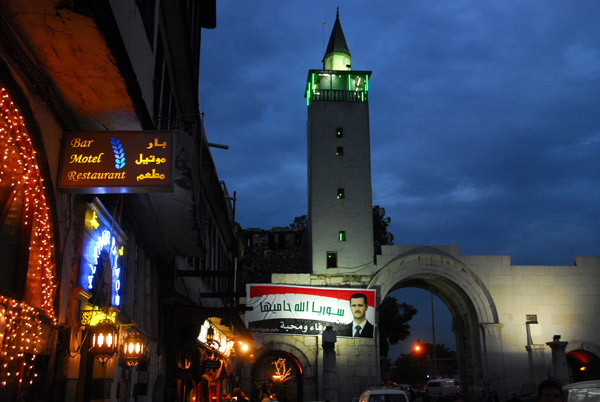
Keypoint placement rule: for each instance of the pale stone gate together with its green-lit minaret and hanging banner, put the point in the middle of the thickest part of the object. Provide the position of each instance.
(514, 325)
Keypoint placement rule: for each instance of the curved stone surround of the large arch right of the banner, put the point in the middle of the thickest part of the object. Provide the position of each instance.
(474, 316)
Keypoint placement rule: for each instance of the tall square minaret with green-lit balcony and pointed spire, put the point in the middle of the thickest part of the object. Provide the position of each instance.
(339, 163)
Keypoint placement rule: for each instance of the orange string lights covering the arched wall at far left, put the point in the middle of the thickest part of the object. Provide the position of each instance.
(23, 323)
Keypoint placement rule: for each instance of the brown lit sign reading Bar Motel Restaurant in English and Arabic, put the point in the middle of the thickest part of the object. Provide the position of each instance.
(117, 162)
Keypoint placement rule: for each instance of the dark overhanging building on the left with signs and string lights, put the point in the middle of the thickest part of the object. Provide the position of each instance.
(156, 261)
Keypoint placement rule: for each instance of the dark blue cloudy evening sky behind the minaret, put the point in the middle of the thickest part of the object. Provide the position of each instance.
(485, 117)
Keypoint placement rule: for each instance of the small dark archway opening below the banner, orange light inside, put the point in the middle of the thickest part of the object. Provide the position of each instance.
(277, 374)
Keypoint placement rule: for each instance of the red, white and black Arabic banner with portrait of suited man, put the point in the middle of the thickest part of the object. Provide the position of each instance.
(308, 310)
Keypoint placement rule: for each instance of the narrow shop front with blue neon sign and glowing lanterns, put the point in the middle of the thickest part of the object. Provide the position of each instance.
(101, 274)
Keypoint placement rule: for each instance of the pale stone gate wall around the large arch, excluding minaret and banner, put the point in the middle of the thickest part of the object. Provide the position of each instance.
(503, 315)
